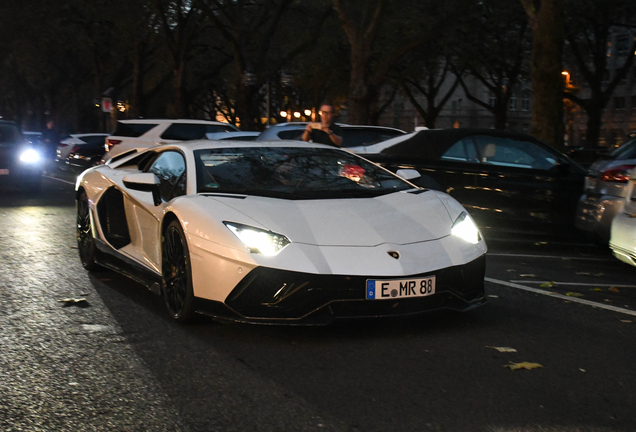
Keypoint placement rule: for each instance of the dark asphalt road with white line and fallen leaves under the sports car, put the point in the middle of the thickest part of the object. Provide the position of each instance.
(82, 351)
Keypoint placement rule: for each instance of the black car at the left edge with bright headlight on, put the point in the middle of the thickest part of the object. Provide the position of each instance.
(21, 161)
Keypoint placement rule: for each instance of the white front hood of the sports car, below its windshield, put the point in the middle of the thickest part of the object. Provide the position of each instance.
(398, 218)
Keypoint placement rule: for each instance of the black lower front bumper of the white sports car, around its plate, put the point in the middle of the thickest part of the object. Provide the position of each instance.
(273, 296)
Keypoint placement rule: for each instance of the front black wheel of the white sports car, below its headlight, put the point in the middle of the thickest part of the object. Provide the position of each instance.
(176, 280)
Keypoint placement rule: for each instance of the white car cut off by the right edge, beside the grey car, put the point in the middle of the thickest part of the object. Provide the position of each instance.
(623, 231)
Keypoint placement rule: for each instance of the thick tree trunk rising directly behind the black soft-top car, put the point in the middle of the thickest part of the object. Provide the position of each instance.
(546, 22)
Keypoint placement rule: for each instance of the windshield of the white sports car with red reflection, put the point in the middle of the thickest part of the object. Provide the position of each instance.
(292, 173)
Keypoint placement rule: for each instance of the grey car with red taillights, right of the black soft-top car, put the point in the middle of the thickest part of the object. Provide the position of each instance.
(604, 191)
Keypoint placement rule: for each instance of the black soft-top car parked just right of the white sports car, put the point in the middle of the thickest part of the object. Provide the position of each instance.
(506, 180)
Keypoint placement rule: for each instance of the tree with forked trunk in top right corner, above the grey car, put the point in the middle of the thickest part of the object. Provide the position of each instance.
(590, 26)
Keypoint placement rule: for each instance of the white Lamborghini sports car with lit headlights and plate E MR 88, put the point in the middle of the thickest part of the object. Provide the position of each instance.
(278, 232)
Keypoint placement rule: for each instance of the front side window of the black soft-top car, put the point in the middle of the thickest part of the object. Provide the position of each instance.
(513, 153)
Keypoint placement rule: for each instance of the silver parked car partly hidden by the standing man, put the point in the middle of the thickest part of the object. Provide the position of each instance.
(352, 135)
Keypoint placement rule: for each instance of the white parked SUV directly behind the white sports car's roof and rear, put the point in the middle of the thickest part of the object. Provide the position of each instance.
(133, 135)
